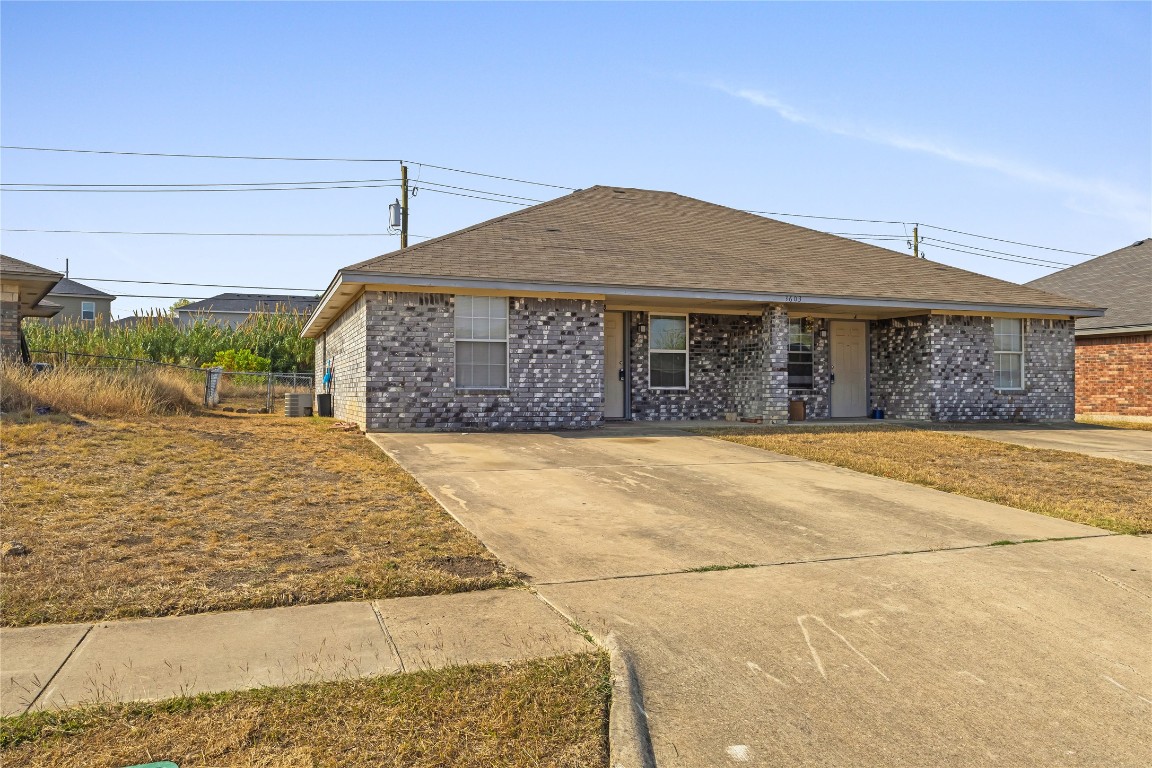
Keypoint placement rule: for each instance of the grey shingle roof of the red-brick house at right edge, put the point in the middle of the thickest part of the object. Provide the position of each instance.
(1120, 282)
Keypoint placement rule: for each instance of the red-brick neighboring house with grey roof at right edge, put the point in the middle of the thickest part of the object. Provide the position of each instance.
(1115, 352)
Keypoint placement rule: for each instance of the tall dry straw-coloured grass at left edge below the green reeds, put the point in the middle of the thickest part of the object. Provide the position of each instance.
(100, 393)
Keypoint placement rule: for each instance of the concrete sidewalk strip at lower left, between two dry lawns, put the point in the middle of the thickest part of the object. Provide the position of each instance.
(59, 666)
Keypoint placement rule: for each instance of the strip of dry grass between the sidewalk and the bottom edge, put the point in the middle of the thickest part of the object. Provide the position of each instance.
(533, 714)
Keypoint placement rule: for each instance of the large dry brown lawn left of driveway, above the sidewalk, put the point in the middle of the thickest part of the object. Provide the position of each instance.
(184, 515)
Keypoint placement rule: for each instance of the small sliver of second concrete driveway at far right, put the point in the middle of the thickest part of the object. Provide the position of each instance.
(1088, 439)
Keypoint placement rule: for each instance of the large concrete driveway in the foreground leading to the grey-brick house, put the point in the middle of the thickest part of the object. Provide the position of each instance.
(878, 628)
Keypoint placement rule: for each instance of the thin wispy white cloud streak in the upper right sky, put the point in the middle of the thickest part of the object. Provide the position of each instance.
(1096, 197)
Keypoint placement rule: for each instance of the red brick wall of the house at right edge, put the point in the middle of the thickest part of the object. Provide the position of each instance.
(1115, 375)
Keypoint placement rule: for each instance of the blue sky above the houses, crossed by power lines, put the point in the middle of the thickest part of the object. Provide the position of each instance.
(1024, 121)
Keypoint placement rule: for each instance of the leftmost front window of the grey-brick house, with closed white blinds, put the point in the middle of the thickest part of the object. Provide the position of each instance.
(482, 343)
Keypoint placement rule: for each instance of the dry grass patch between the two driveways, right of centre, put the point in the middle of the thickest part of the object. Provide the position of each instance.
(1105, 493)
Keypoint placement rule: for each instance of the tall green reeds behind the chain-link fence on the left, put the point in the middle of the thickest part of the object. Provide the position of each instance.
(160, 338)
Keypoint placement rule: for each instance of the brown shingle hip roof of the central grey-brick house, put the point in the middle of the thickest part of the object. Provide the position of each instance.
(641, 239)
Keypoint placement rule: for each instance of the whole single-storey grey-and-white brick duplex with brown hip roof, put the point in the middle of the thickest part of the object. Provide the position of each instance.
(624, 303)
